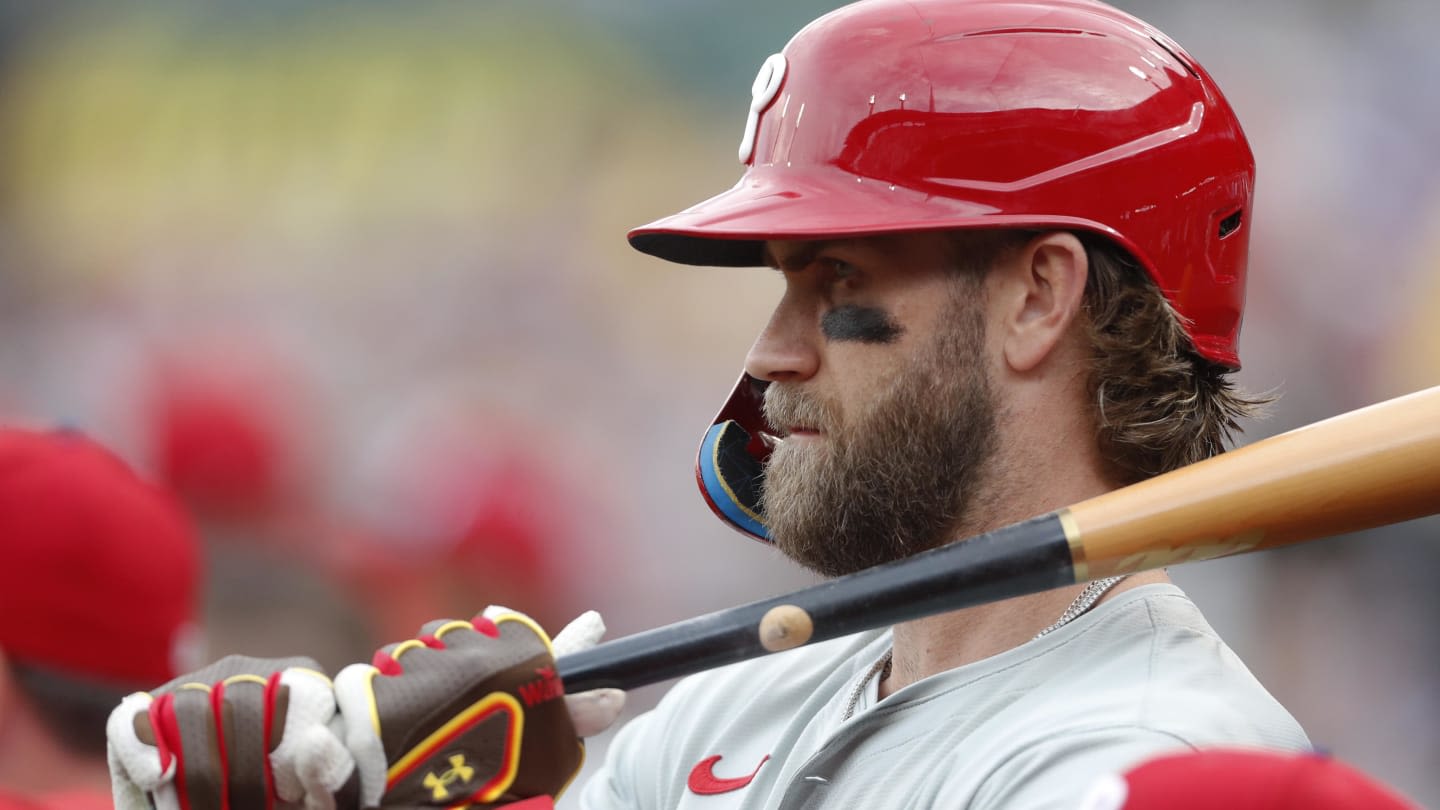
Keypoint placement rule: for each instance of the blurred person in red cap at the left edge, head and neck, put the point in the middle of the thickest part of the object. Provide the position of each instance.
(91, 551)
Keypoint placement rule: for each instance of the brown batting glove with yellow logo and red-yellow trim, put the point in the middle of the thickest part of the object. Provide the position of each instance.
(467, 714)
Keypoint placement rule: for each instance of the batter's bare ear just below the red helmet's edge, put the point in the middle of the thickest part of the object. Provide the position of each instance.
(1038, 296)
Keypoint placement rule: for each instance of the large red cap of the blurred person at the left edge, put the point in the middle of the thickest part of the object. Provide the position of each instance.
(102, 569)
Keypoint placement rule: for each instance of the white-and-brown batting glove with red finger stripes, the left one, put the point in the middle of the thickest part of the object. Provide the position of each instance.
(243, 733)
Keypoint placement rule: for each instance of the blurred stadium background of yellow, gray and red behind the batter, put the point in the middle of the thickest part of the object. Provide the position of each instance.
(352, 277)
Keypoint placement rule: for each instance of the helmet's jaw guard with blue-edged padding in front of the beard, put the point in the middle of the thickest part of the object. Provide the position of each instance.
(731, 465)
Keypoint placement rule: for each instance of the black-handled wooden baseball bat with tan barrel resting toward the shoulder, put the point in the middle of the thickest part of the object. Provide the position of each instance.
(1360, 471)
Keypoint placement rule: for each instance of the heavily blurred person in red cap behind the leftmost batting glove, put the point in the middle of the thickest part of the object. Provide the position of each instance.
(228, 424)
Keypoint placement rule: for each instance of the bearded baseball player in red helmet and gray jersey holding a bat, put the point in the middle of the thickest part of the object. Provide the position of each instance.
(1013, 239)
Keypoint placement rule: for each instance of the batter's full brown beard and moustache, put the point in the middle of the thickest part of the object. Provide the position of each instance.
(901, 476)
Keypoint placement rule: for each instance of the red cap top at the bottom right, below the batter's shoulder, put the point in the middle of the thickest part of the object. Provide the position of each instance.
(1243, 780)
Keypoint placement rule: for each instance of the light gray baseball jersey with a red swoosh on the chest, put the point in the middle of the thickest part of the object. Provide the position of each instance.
(1029, 729)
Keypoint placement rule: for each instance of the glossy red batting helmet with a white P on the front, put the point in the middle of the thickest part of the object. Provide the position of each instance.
(895, 116)
